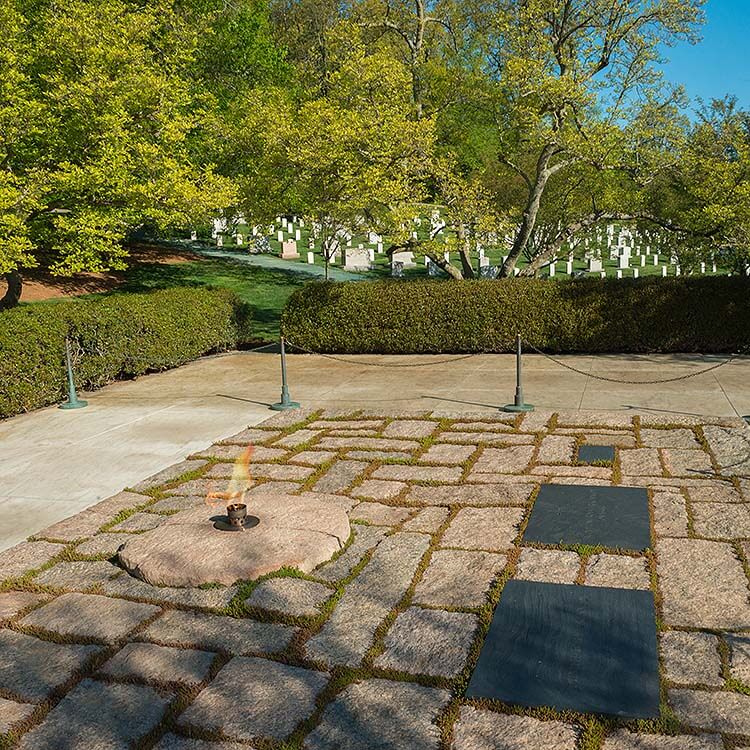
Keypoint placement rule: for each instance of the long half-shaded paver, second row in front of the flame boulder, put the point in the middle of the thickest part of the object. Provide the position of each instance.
(215, 633)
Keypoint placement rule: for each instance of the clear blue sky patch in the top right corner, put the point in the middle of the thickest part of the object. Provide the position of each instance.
(720, 64)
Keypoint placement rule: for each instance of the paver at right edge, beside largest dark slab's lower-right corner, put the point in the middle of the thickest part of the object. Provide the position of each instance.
(716, 712)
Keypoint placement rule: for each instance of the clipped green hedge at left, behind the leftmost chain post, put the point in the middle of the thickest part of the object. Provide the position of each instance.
(120, 336)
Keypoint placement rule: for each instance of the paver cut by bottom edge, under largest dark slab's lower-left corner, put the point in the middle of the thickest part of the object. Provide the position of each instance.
(487, 730)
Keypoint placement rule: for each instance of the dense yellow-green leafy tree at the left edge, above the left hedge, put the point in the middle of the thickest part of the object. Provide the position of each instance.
(95, 122)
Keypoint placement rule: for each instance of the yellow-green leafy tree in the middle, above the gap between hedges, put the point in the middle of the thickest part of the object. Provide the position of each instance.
(351, 158)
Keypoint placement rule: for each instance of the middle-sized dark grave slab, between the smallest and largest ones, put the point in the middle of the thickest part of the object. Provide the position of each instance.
(597, 515)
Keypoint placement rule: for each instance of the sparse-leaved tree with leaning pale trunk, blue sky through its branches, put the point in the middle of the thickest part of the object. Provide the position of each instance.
(577, 99)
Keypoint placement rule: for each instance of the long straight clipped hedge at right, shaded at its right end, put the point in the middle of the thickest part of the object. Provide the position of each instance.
(685, 314)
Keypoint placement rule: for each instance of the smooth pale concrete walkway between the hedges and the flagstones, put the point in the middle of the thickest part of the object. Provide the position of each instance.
(54, 463)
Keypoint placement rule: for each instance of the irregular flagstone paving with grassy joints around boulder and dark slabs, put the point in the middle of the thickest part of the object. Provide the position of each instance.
(374, 648)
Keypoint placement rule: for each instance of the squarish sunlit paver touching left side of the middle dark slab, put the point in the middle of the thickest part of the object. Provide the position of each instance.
(491, 529)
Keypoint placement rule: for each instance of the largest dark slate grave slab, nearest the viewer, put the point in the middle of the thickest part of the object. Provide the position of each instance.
(582, 648)
